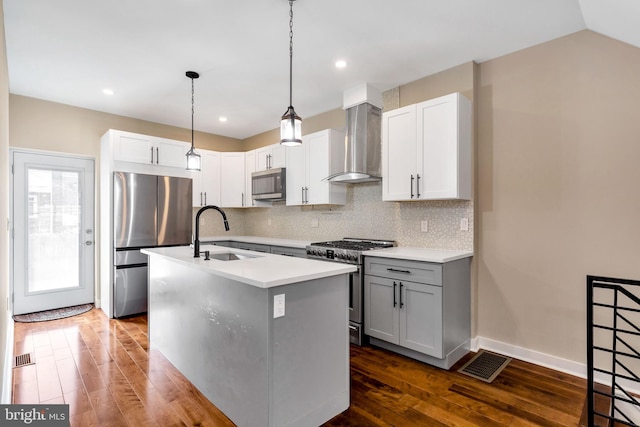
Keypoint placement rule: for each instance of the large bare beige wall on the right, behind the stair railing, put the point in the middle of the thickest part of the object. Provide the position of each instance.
(559, 187)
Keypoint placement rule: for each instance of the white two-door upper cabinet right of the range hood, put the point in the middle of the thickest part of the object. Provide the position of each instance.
(426, 150)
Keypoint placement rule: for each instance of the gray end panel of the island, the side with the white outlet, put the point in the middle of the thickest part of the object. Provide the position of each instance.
(310, 352)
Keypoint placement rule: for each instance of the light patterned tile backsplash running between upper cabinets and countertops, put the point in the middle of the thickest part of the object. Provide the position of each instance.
(364, 215)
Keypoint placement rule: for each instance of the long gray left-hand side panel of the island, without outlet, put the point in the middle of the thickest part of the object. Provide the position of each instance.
(215, 331)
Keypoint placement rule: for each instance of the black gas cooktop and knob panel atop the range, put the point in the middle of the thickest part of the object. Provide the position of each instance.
(348, 250)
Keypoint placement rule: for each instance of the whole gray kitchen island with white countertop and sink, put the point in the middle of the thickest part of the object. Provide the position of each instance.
(264, 337)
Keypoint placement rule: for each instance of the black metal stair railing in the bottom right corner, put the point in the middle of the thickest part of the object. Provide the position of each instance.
(613, 316)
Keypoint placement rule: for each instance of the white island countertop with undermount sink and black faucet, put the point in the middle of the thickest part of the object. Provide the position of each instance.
(262, 271)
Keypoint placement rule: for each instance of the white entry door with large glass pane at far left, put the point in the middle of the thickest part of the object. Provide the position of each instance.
(53, 231)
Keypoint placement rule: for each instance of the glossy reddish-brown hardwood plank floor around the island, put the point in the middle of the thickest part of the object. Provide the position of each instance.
(105, 371)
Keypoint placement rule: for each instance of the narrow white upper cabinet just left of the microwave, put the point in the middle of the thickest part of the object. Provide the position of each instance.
(232, 180)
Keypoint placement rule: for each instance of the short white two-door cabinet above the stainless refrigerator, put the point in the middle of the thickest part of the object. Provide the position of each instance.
(150, 150)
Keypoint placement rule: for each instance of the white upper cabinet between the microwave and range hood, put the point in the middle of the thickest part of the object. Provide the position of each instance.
(309, 164)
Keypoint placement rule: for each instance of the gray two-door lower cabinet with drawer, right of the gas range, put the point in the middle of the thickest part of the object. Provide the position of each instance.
(419, 309)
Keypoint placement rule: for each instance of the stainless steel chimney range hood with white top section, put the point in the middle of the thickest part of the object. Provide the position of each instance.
(362, 145)
